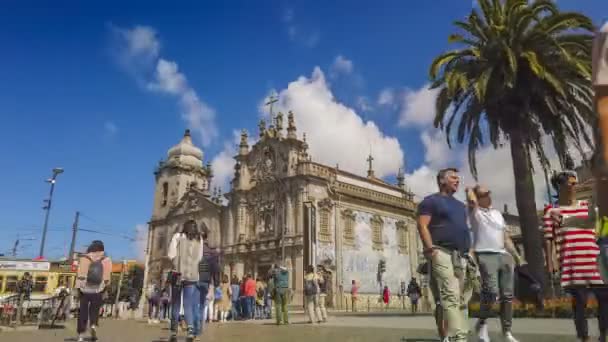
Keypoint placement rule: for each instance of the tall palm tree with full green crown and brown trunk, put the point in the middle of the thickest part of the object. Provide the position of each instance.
(521, 74)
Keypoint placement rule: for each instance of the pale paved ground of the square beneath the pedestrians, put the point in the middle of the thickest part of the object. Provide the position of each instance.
(349, 328)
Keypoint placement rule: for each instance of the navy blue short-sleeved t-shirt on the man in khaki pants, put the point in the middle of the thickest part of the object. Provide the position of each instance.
(448, 226)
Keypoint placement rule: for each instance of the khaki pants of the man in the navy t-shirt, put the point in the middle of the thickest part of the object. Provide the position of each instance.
(449, 281)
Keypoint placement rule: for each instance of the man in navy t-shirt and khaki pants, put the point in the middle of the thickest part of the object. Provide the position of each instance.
(442, 224)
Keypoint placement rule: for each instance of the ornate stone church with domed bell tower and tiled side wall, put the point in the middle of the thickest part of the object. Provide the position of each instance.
(284, 207)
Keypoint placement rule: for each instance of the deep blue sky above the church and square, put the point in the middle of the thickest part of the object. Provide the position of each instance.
(68, 99)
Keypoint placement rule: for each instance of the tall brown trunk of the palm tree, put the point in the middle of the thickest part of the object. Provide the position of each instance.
(526, 206)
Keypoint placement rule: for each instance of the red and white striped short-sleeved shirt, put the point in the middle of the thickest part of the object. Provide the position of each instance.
(576, 247)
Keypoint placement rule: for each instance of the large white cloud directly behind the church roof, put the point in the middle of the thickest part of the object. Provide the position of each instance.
(333, 128)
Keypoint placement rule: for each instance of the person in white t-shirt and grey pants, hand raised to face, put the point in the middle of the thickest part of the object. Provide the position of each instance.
(496, 255)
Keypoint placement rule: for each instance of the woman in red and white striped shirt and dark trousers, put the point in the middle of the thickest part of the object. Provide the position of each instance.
(567, 228)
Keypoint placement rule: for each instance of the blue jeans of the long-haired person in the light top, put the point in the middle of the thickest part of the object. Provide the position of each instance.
(191, 296)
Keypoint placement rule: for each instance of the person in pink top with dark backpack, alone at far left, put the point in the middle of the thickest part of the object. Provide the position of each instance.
(94, 270)
